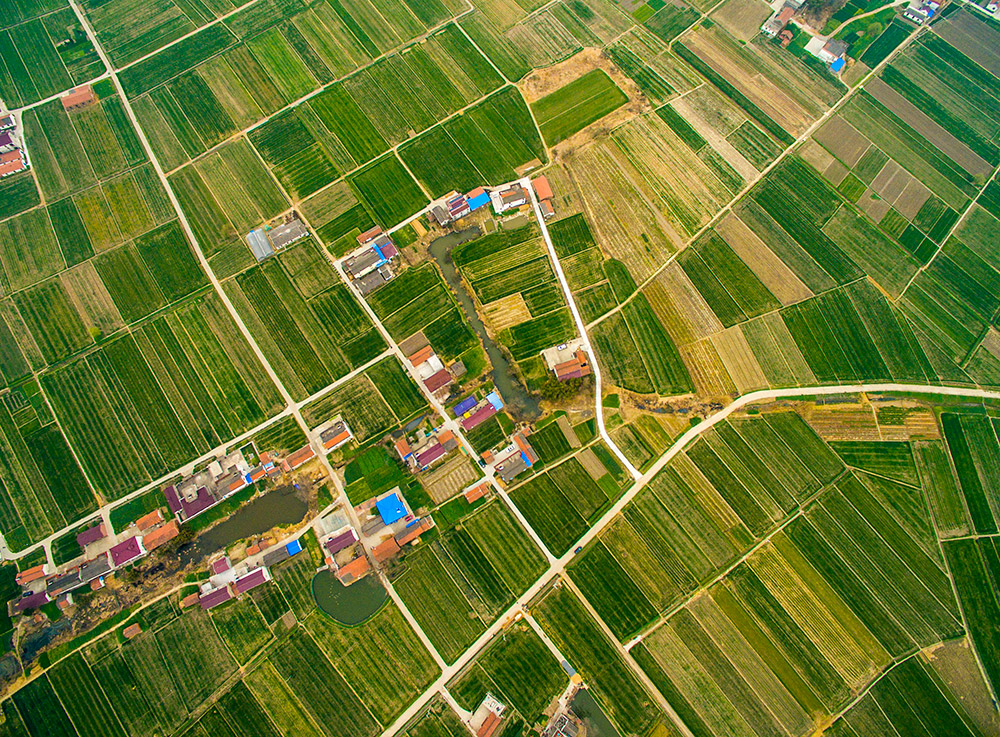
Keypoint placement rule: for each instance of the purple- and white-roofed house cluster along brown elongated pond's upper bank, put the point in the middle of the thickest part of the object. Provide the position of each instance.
(223, 478)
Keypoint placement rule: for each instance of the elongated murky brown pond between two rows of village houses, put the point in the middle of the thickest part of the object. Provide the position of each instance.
(283, 506)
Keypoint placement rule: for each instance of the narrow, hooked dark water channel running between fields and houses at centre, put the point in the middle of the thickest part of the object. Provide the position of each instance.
(520, 403)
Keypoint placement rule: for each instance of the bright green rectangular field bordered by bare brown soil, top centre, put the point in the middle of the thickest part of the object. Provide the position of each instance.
(576, 105)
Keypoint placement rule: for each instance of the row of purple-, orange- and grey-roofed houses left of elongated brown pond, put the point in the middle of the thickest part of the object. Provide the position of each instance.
(102, 554)
